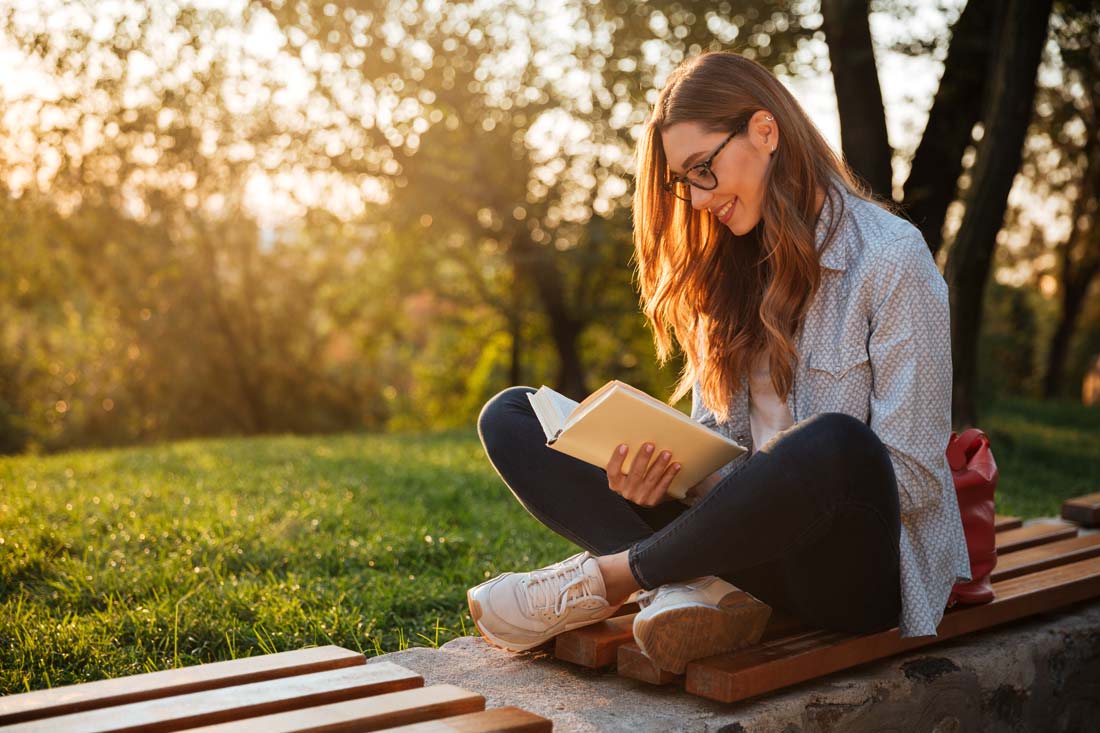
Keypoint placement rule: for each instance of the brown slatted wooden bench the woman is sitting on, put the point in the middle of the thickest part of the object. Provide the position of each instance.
(1040, 568)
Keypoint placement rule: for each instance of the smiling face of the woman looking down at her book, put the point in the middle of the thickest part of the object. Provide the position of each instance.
(740, 168)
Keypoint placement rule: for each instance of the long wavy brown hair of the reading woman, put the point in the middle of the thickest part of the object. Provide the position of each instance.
(729, 299)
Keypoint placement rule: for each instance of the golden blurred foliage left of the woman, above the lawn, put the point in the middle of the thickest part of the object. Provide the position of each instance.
(456, 217)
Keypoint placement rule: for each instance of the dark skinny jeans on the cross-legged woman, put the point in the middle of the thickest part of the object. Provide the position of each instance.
(809, 524)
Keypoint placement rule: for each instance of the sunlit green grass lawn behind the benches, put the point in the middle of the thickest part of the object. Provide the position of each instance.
(122, 562)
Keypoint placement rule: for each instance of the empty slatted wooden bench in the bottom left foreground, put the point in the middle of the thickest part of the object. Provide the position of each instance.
(327, 688)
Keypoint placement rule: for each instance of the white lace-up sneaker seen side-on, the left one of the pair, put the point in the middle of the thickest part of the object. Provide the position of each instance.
(520, 611)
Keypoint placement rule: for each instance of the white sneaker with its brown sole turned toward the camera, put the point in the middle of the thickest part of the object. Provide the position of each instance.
(680, 622)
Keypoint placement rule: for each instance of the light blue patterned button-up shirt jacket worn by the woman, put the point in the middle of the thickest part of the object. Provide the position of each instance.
(876, 345)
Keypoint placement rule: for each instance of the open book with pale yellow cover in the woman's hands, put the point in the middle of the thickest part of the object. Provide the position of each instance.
(619, 413)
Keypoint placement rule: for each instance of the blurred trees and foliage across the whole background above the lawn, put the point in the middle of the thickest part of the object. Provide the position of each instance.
(312, 216)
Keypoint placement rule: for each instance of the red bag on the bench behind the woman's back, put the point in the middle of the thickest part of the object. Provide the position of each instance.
(975, 474)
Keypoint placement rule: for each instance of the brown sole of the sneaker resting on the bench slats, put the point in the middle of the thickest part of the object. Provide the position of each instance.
(683, 633)
